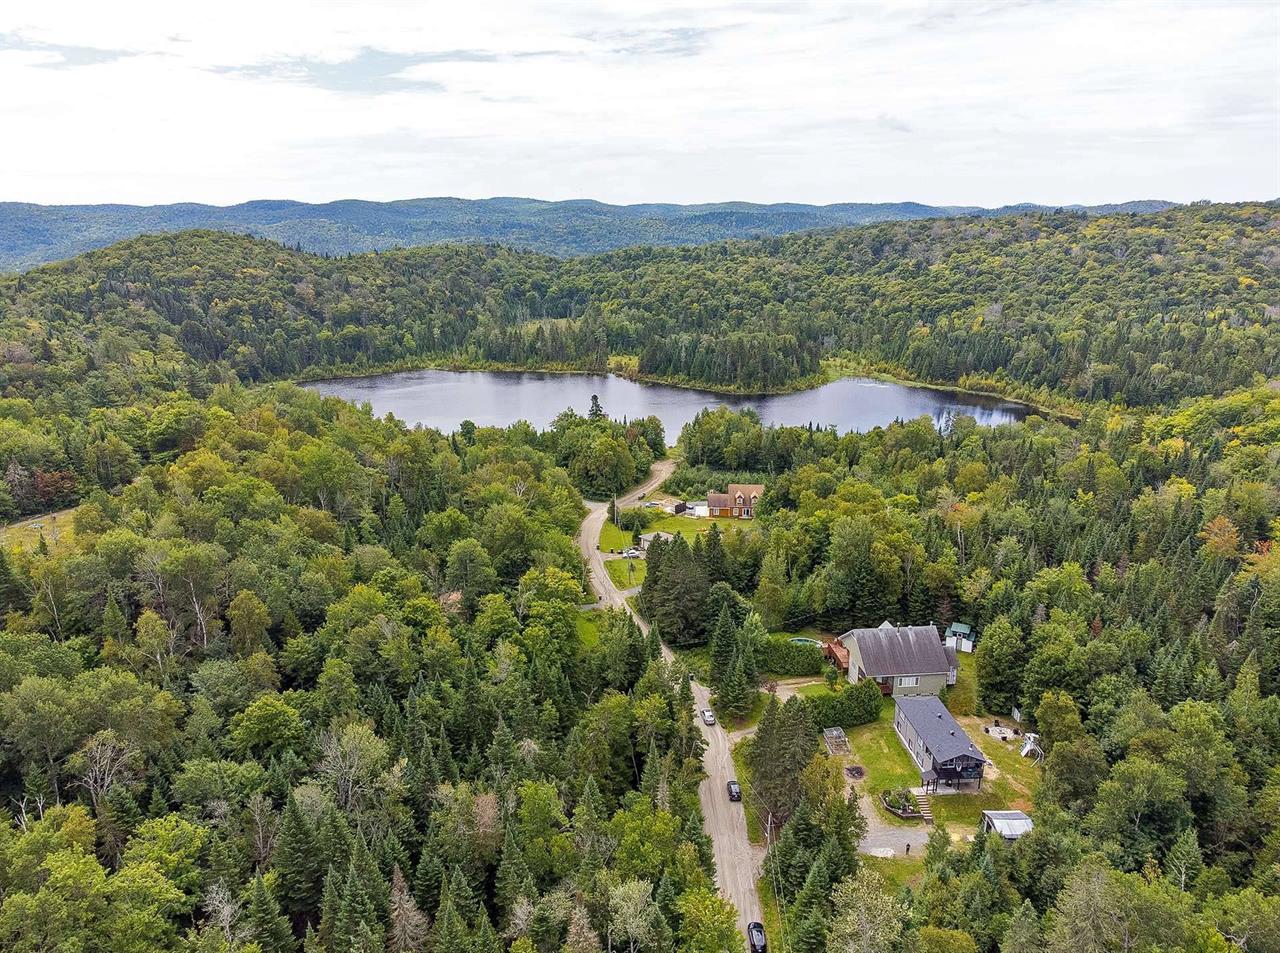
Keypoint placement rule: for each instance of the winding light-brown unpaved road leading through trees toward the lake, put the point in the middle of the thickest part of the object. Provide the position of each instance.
(738, 863)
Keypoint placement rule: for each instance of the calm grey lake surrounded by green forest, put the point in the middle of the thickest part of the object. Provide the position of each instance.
(444, 400)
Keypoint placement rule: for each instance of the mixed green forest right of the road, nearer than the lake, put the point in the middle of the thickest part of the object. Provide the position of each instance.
(1124, 578)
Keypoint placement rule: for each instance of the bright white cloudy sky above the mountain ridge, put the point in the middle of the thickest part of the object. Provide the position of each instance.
(975, 103)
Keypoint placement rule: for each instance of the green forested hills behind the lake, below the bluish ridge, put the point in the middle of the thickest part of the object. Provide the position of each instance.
(1141, 310)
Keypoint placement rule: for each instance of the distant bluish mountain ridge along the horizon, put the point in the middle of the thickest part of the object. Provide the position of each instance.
(35, 235)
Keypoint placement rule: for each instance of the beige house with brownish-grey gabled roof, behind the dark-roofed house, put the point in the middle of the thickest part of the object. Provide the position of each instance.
(903, 661)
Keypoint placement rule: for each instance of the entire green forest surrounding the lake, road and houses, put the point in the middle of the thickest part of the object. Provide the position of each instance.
(300, 679)
